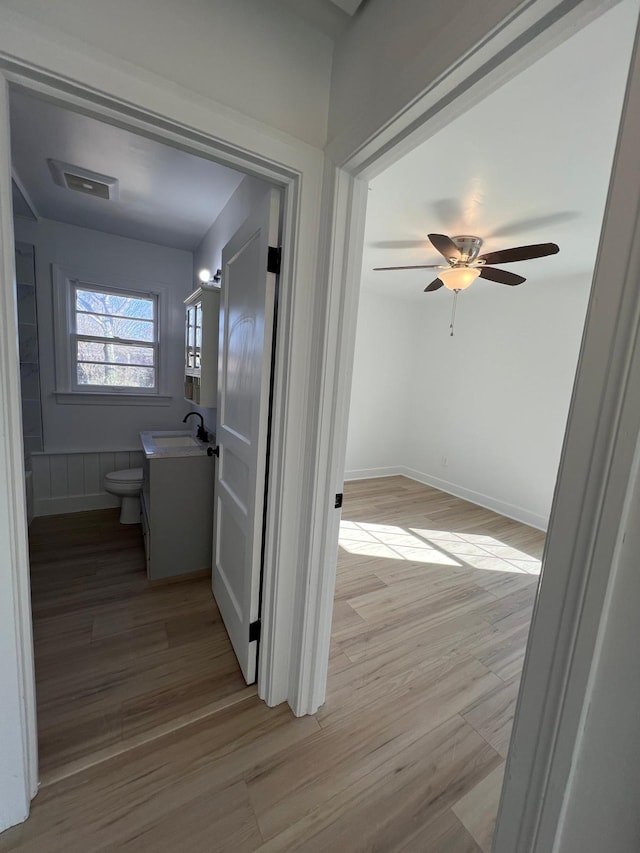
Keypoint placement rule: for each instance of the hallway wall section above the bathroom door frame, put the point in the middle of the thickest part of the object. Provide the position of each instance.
(251, 56)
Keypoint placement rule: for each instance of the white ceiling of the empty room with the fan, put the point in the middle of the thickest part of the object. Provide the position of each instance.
(529, 164)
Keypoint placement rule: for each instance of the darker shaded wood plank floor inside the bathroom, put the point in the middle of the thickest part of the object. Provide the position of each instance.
(117, 659)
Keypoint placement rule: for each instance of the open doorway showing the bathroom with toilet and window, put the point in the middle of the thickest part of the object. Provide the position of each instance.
(115, 229)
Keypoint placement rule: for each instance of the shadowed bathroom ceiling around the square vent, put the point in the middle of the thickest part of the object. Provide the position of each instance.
(165, 195)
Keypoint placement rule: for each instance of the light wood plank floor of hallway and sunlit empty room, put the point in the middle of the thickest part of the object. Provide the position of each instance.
(432, 609)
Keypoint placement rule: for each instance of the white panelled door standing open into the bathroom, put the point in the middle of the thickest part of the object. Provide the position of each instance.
(244, 378)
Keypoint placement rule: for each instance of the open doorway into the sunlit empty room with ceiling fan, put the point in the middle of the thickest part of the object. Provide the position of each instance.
(455, 434)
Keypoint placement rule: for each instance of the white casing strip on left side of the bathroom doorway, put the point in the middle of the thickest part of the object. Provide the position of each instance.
(18, 744)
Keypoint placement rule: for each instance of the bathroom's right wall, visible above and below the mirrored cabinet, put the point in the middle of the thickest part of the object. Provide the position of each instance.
(208, 255)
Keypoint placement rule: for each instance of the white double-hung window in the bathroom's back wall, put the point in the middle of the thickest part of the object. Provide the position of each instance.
(114, 339)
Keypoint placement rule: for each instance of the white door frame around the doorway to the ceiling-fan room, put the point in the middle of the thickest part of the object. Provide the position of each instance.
(600, 440)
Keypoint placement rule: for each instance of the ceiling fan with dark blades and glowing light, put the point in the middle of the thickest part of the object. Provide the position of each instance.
(466, 264)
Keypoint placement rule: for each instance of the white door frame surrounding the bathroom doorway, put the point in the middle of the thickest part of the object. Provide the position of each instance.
(143, 103)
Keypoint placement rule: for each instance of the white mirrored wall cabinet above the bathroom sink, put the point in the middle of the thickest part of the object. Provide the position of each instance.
(201, 346)
